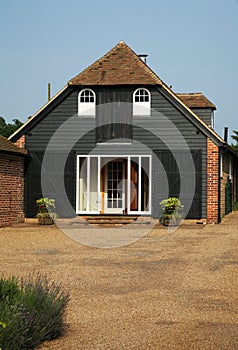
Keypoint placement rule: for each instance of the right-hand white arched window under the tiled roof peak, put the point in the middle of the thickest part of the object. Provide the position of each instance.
(141, 102)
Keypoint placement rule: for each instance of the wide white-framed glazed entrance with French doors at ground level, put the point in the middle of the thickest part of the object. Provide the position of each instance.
(113, 184)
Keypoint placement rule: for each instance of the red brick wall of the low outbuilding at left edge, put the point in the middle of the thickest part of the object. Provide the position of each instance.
(11, 189)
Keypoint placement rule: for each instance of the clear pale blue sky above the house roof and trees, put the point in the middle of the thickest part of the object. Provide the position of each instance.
(192, 45)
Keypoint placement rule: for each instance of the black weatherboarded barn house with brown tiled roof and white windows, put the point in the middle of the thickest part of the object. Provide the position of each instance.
(117, 140)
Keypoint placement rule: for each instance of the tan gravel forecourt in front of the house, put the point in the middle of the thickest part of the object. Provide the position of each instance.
(166, 291)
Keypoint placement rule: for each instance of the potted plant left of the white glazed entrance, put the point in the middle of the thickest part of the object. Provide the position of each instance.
(45, 215)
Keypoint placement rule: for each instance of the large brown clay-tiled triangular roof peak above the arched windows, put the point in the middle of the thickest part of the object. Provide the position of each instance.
(120, 66)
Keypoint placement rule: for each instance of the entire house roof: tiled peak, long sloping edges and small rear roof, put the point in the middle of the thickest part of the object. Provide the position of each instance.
(122, 66)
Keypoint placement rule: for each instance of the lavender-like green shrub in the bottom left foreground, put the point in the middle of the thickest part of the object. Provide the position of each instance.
(32, 311)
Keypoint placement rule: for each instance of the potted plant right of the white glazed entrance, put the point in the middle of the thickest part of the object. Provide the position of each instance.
(172, 215)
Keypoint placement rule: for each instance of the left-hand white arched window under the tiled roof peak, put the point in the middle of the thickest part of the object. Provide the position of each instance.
(87, 103)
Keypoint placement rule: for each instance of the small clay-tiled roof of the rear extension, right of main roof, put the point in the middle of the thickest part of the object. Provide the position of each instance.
(196, 100)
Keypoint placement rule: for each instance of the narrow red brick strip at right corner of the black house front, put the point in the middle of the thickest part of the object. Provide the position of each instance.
(212, 183)
